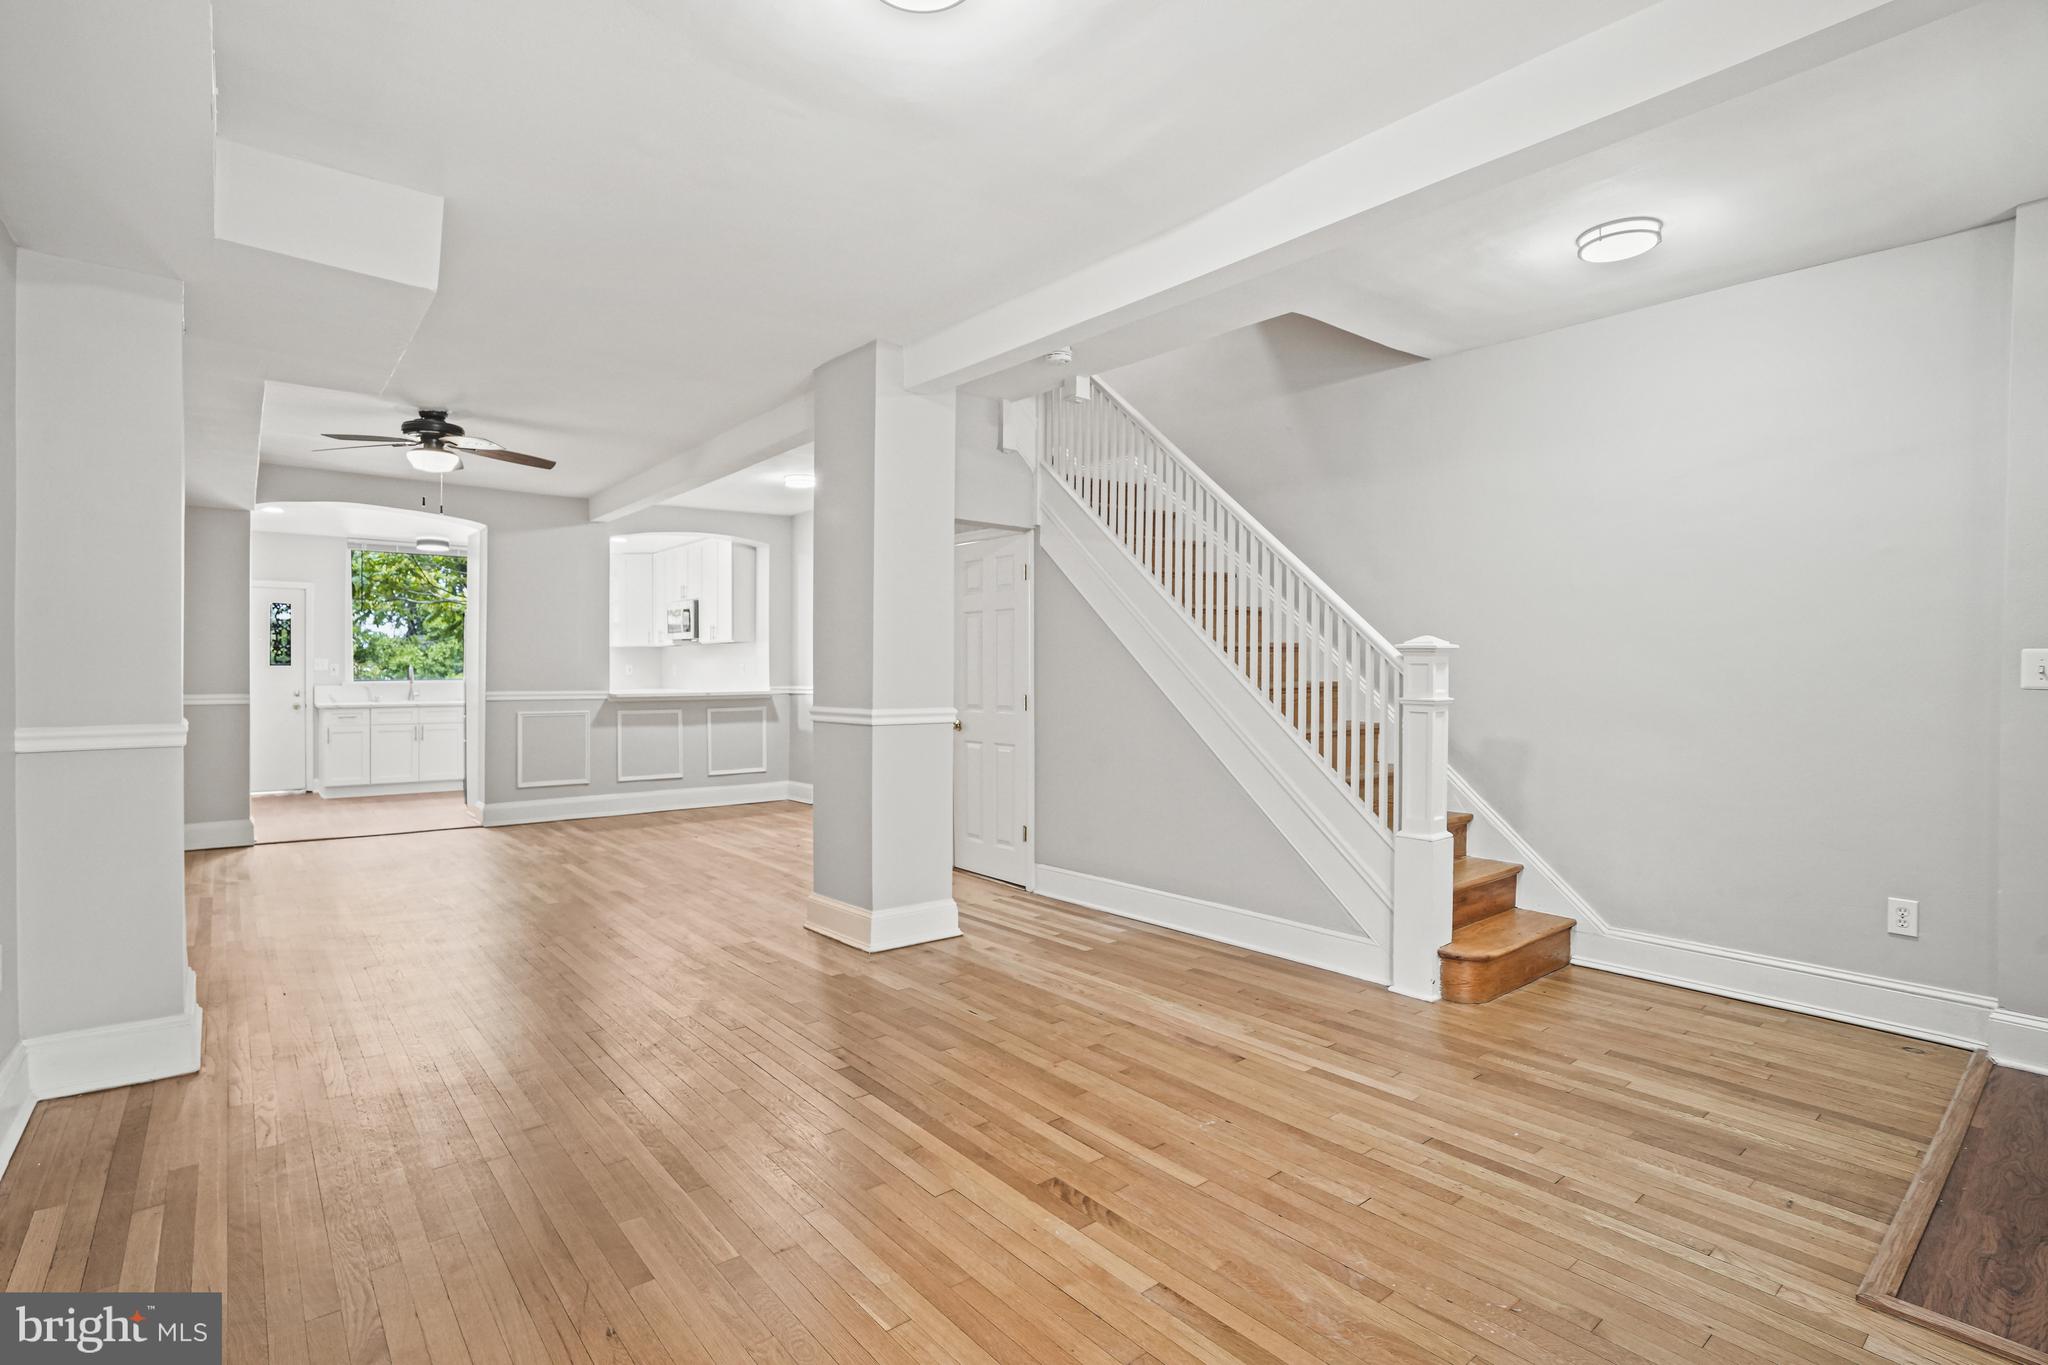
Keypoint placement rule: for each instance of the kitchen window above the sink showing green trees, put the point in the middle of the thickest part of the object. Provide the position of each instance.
(409, 613)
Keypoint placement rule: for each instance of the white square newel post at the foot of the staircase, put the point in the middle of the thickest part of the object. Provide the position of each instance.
(1422, 836)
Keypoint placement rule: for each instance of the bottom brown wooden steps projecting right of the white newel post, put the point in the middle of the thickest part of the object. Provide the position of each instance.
(1494, 944)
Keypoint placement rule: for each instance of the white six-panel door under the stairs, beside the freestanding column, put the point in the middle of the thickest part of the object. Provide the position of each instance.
(992, 746)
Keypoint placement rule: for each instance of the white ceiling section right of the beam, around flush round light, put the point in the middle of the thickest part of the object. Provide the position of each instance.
(1934, 132)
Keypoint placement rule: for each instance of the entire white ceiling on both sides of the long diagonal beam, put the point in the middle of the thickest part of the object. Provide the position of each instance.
(663, 216)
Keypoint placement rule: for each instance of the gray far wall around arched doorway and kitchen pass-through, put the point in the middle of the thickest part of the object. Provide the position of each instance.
(548, 611)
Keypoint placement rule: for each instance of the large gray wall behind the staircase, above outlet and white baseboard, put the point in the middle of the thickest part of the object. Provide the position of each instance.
(1725, 576)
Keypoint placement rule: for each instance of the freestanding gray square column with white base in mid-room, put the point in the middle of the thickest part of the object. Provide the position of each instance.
(882, 865)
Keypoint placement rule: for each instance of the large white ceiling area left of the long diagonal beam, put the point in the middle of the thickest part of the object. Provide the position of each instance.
(663, 218)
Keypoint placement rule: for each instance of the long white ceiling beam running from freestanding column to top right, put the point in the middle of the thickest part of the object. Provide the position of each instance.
(1641, 73)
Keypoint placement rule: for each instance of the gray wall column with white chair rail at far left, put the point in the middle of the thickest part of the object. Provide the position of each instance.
(99, 777)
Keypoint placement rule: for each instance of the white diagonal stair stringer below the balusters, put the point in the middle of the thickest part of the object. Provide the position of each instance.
(1332, 834)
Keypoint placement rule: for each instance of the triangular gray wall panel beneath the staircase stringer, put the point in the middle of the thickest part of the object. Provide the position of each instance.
(1132, 793)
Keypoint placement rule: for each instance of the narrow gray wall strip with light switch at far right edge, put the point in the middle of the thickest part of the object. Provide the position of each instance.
(2024, 715)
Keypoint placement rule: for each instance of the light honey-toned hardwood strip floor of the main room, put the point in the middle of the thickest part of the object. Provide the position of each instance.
(593, 1094)
